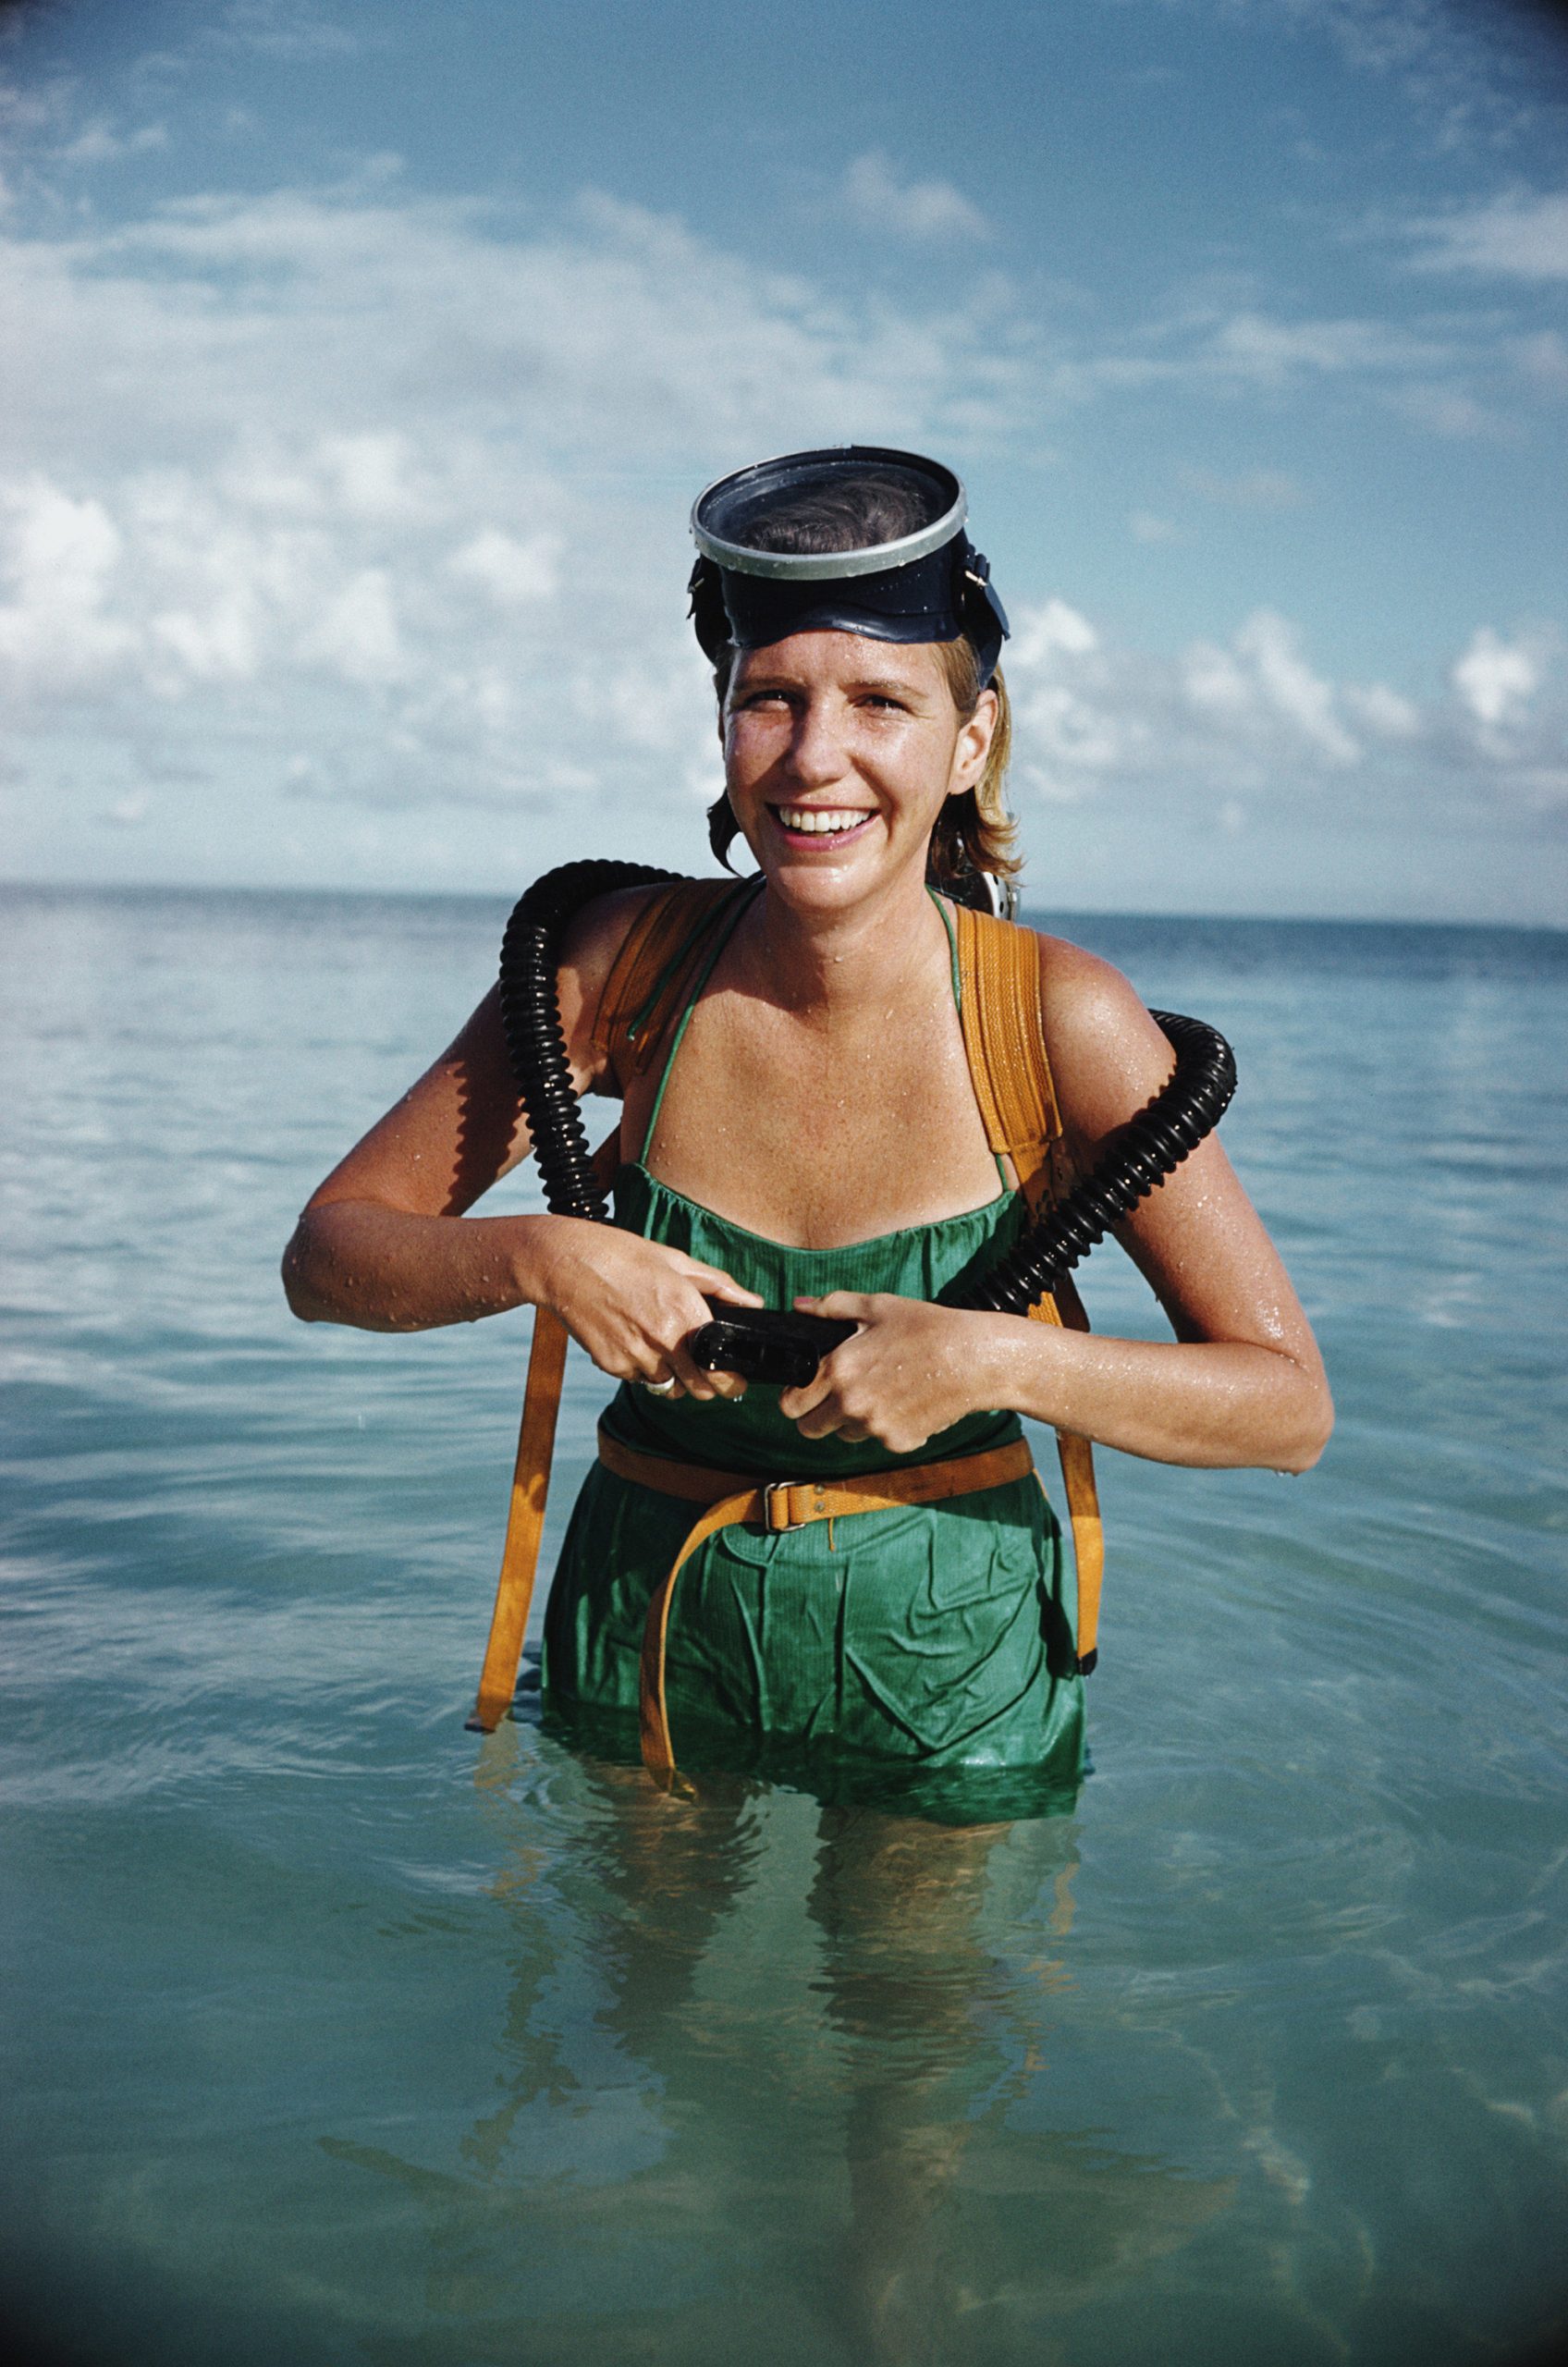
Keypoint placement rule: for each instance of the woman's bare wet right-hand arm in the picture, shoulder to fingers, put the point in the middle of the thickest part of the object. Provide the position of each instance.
(1242, 1381)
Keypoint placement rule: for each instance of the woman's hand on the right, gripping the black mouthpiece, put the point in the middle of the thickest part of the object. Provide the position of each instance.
(911, 1372)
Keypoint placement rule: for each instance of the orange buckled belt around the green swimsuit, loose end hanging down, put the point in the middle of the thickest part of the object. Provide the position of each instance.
(780, 1504)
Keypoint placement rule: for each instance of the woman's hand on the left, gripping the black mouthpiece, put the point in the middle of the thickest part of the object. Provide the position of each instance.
(631, 1303)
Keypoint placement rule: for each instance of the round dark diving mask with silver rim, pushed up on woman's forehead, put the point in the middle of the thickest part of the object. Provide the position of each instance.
(854, 538)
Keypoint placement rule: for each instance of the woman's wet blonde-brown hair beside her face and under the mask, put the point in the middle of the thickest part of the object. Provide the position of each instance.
(975, 832)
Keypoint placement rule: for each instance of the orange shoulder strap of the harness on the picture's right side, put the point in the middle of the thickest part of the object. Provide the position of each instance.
(1013, 1081)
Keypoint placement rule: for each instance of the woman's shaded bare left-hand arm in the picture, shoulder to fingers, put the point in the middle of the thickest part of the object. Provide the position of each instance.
(385, 1241)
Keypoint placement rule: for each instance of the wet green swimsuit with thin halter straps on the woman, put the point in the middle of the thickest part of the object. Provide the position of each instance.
(908, 1642)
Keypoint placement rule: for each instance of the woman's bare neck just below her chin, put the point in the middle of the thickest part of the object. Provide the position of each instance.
(854, 960)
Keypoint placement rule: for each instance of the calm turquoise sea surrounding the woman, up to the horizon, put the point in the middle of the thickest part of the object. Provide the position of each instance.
(338, 2034)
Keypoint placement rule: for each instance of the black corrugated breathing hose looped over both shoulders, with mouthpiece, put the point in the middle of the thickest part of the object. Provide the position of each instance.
(1148, 1152)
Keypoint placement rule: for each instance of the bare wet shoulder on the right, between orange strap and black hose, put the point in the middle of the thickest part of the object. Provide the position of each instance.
(1107, 1054)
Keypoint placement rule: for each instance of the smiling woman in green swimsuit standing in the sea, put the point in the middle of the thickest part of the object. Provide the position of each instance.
(809, 1135)
